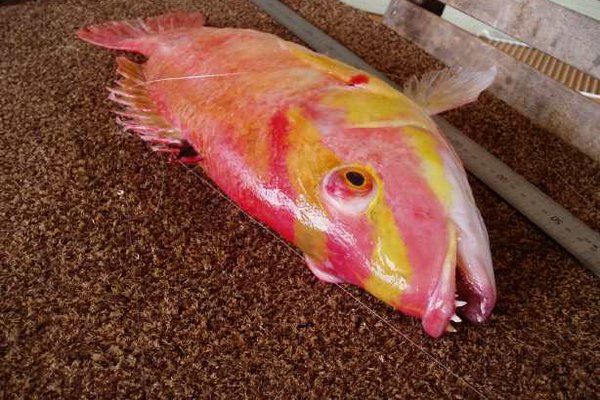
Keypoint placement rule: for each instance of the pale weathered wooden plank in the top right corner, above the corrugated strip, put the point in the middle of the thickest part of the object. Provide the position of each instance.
(547, 26)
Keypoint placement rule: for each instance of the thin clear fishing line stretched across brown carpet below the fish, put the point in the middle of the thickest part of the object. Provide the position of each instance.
(362, 304)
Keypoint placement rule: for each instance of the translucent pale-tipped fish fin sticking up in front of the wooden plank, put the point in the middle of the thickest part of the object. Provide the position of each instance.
(439, 91)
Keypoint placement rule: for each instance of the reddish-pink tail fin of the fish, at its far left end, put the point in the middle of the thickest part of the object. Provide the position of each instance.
(133, 35)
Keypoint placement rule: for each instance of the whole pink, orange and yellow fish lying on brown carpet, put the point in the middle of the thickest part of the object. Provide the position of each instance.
(351, 171)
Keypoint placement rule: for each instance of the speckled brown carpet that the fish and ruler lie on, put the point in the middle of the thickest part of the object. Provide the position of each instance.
(126, 277)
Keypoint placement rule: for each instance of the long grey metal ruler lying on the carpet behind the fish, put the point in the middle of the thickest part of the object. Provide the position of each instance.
(567, 230)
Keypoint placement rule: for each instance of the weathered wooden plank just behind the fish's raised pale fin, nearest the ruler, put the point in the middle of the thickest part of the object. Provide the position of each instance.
(545, 101)
